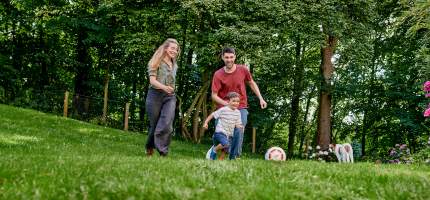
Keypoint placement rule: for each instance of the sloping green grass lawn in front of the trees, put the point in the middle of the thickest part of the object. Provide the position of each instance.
(49, 157)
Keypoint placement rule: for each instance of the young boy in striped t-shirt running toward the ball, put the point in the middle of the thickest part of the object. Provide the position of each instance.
(228, 118)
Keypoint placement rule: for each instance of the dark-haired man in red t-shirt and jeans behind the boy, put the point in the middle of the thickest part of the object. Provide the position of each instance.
(232, 78)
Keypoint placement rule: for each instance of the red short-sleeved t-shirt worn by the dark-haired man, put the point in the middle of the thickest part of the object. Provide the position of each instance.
(223, 83)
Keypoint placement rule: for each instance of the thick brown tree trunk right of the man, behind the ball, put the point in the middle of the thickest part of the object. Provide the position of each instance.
(326, 70)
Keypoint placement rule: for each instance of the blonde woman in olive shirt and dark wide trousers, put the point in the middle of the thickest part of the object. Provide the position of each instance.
(161, 100)
